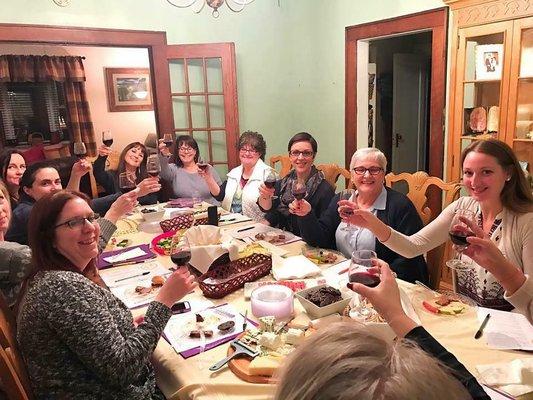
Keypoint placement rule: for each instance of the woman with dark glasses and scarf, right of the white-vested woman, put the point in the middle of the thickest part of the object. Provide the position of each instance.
(280, 204)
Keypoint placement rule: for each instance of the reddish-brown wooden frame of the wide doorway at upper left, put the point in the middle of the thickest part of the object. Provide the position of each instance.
(47, 34)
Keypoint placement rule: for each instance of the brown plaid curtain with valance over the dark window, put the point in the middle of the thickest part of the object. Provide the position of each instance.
(70, 71)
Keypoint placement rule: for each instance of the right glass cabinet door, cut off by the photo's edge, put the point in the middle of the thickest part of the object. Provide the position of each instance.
(520, 134)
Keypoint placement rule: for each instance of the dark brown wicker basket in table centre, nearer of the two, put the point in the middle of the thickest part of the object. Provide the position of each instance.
(234, 274)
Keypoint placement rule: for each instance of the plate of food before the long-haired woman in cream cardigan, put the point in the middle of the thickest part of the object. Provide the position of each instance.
(446, 303)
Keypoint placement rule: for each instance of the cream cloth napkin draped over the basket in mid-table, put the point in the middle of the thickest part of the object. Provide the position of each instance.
(207, 244)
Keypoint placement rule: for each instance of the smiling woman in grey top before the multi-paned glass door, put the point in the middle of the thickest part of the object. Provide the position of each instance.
(187, 178)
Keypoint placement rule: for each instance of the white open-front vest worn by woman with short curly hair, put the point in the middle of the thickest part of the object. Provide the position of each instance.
(250, 191)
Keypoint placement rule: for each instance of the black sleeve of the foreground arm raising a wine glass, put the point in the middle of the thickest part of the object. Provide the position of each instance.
(431, 346)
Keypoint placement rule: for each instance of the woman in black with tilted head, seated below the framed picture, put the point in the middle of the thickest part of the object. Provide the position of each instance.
(132, 160)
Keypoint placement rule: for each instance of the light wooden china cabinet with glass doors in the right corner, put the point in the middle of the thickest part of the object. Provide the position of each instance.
(491, 87)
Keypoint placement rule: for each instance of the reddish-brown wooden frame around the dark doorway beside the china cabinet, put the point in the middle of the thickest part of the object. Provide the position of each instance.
(436, 21)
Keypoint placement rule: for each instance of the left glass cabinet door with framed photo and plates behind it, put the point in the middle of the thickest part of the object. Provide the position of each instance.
(482, 79)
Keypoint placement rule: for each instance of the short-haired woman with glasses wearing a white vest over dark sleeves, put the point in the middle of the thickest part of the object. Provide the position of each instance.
(239, 193)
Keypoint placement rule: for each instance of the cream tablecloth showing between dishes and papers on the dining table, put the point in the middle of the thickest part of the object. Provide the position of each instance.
(190, 378)
